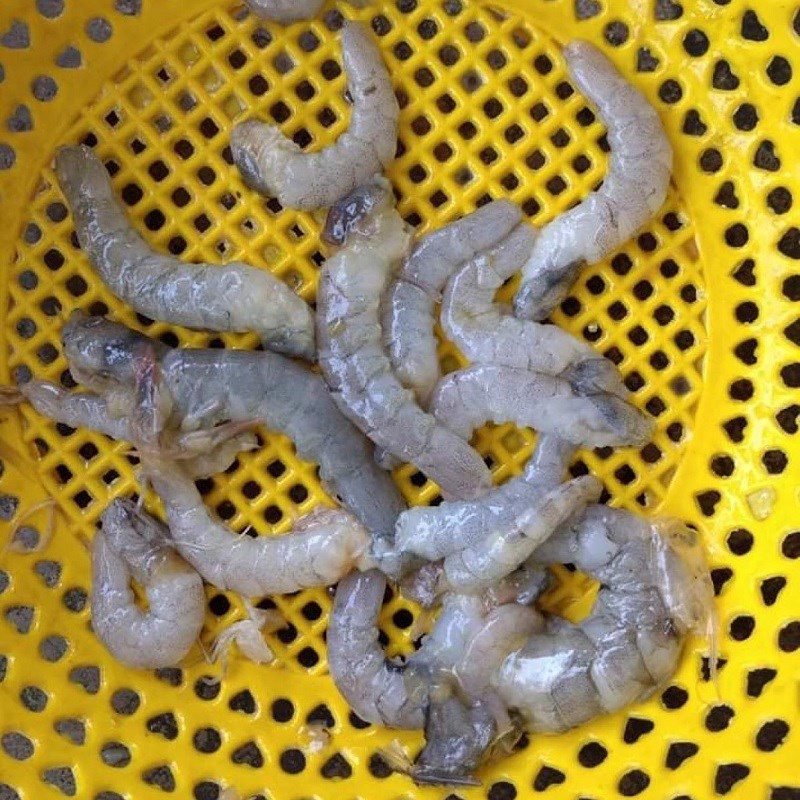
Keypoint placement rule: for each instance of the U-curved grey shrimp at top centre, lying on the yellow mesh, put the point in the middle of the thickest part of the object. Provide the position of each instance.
(275, 165)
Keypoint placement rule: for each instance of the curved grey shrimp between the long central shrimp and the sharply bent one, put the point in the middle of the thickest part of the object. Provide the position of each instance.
(408, 307)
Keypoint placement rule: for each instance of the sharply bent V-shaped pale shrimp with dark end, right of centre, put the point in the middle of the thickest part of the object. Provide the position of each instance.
(486, 335)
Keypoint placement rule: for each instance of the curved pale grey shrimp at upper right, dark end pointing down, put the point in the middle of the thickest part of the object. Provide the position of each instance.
(633, 190)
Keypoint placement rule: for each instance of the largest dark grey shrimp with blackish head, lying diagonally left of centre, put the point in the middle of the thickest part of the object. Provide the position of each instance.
(207, 387)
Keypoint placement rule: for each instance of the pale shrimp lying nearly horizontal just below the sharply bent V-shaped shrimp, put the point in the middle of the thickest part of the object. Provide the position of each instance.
(466, 399)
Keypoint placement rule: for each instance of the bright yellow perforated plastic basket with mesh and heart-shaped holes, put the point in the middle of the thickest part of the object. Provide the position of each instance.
(700, 312)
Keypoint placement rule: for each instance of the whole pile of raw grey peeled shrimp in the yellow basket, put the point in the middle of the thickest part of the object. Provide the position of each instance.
(494, 665)
